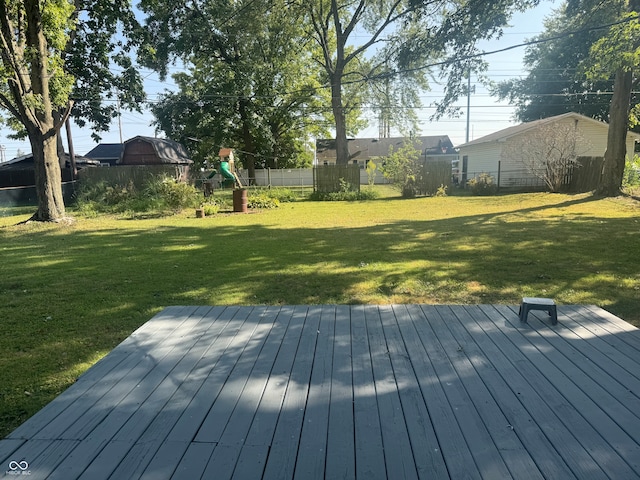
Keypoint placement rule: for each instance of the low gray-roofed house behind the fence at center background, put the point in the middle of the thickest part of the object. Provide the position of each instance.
(361, 150)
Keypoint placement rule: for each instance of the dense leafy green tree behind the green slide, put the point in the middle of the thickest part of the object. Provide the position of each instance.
(248, 84)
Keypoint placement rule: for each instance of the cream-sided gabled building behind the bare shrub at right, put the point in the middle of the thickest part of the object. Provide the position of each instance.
(484, 155)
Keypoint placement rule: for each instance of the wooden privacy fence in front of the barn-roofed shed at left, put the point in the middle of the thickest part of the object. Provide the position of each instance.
(138, 175)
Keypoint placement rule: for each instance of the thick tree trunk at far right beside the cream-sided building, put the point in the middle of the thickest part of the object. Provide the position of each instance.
(614, 157)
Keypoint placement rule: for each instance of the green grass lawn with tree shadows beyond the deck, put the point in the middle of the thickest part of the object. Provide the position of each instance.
(71, 293)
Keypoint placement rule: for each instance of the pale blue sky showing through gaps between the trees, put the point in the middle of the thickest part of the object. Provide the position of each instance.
(486, 114)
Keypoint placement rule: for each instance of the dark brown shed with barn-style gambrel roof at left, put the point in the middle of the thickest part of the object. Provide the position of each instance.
(153, 151)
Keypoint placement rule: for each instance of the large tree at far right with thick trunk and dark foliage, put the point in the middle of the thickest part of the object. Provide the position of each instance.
(585, 63)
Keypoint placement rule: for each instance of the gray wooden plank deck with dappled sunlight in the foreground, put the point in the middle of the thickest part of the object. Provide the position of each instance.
(403, 391)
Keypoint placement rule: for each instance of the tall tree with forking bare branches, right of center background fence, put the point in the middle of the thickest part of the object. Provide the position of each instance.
(409, 33)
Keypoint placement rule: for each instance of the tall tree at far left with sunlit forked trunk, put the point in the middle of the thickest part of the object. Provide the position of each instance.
(42, 44)
